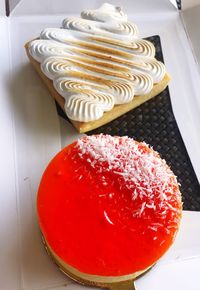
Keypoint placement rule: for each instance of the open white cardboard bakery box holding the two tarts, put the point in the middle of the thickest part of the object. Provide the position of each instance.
(32, 133)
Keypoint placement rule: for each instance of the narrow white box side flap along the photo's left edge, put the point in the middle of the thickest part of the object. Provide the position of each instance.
(9, 238)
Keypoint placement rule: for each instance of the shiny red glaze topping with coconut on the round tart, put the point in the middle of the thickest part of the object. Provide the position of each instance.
(109, 206)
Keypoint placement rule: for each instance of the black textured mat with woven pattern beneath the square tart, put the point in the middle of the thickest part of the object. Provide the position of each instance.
(154, 123)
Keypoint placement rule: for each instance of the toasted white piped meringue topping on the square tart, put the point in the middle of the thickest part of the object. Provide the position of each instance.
(97, 61)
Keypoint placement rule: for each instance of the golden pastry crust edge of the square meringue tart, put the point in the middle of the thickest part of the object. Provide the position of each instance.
(107, 117)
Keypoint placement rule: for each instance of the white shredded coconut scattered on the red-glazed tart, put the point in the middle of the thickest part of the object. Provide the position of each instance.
(137, 168)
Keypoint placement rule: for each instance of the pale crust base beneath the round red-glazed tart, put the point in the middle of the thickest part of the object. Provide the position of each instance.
(87, 279)
